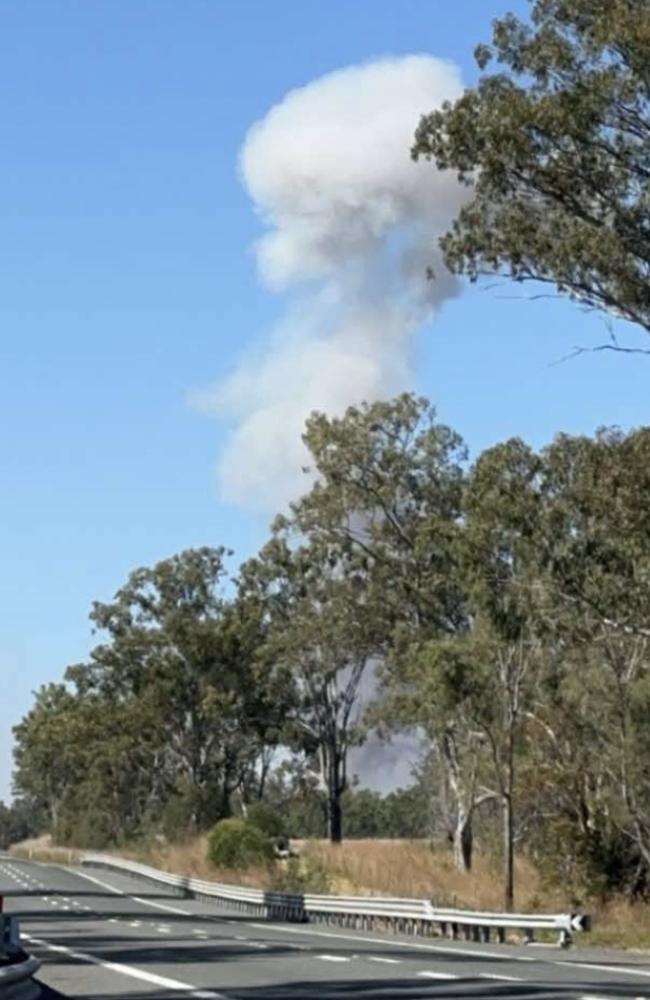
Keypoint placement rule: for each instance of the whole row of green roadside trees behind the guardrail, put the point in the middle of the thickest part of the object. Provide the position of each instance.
(500, 609)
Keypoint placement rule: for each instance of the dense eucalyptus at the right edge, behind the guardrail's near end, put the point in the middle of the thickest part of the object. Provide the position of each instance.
(597, 527)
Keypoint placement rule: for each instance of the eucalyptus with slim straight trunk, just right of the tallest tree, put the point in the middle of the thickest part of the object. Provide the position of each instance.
(471, 691)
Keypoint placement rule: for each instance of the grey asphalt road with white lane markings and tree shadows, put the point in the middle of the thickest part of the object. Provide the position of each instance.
(103, 935)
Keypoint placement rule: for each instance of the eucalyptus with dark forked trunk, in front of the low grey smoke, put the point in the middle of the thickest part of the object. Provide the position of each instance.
(322, 635)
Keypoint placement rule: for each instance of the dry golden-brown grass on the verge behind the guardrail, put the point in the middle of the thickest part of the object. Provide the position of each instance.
(398, 868)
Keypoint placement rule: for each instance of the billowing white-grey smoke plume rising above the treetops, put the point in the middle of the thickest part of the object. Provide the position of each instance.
(352, 225)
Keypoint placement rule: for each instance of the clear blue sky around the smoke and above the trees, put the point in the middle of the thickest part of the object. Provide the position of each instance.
(127, 280)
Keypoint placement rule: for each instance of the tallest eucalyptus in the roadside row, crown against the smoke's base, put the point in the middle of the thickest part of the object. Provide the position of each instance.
(386, 503)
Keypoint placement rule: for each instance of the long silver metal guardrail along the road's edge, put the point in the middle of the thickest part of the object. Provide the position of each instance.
(410, 916)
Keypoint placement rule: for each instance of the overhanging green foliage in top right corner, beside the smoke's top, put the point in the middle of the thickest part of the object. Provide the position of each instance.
(554, 145)
